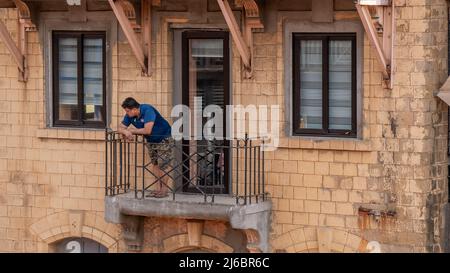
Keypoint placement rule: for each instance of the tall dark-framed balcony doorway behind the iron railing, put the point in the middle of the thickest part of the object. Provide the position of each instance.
(205, 76)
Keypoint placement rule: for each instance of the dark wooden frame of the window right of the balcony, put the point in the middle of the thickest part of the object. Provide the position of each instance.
(325, 131)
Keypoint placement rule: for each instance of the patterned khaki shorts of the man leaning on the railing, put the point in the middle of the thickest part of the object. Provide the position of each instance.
(161, 153)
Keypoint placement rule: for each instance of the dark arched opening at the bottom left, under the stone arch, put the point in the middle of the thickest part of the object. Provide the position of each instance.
(78, 245)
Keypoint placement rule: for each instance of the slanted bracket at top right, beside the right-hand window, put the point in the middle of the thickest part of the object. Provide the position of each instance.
(378, 18)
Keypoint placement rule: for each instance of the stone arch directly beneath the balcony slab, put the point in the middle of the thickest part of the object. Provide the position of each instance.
(181, 242)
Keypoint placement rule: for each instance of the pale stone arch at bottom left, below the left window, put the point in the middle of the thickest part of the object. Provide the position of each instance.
(60, 225)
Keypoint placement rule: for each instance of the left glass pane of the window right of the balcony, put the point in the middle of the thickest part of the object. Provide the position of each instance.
(310, 84)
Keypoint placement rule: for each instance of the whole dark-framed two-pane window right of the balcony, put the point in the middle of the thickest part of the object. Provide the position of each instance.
(324, 84)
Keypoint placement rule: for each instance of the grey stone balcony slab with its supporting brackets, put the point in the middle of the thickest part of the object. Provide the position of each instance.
(125, 209)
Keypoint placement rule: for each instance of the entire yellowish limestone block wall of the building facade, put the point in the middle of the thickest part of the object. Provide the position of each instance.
(388, 186)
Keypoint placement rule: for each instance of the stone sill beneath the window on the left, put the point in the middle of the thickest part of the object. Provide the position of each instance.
(72, 134)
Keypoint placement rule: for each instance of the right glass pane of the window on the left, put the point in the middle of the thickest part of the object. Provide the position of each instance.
(93, 78)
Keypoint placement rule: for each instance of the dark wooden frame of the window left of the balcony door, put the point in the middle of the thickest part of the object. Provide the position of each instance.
(80, 36)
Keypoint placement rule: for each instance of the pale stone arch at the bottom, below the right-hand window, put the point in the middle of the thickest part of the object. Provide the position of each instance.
(311, 239)
